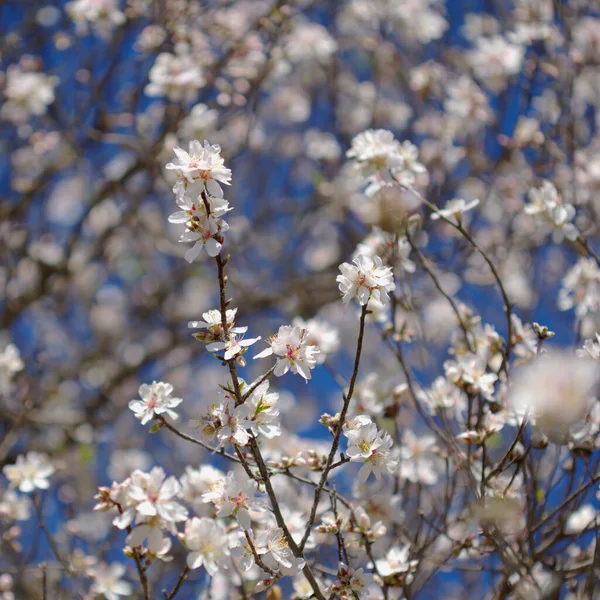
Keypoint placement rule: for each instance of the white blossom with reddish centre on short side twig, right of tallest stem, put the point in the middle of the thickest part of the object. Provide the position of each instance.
(296, 354)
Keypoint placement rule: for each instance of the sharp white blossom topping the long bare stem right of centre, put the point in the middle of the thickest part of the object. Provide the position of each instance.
(365, 279)
